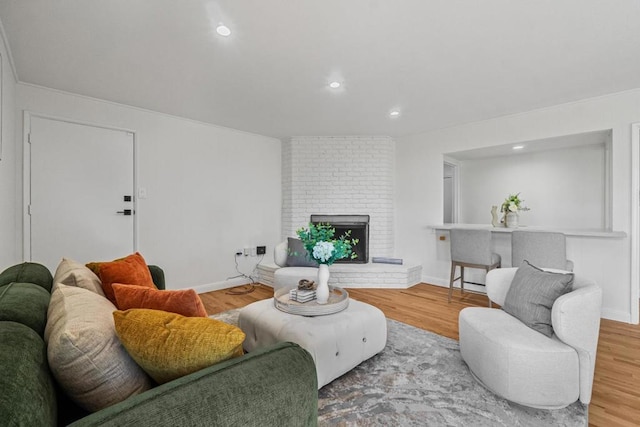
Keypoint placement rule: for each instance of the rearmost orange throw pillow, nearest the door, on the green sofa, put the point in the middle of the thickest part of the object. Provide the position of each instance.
(130, 270)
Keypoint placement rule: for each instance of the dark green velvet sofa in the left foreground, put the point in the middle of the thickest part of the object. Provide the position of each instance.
(275, 386)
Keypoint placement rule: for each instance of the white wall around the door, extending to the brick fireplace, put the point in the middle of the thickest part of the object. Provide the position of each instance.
(211, 190)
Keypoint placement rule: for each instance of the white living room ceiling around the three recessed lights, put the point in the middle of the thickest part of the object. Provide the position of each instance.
(440, 62)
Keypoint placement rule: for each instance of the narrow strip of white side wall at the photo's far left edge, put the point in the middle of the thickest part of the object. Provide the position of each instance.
(8, 235)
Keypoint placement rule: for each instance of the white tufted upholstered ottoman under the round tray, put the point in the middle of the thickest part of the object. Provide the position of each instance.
(337, 342)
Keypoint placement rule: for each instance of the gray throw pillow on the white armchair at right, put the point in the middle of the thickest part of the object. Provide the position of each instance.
(532, 294)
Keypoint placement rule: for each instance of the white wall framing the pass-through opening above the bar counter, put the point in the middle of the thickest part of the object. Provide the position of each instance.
(419, 187)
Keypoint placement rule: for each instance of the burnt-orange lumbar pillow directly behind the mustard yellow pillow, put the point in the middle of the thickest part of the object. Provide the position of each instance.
(185, 302)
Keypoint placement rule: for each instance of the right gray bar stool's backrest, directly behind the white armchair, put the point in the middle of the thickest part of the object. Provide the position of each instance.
(543, 249)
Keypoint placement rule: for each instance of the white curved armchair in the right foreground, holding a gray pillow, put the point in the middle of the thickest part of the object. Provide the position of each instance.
(525, 366)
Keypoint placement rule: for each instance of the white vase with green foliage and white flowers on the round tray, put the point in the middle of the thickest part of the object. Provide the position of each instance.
(325, 249)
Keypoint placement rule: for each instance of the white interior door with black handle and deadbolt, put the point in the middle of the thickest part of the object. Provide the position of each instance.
(79, 177)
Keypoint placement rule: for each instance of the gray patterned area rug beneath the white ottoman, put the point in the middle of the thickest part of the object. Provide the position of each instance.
(420, 379)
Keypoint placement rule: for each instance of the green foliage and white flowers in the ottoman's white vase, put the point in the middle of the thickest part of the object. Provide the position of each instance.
(322, 246)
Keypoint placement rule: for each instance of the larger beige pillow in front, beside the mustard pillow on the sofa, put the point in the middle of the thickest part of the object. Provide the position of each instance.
(84, 352)
